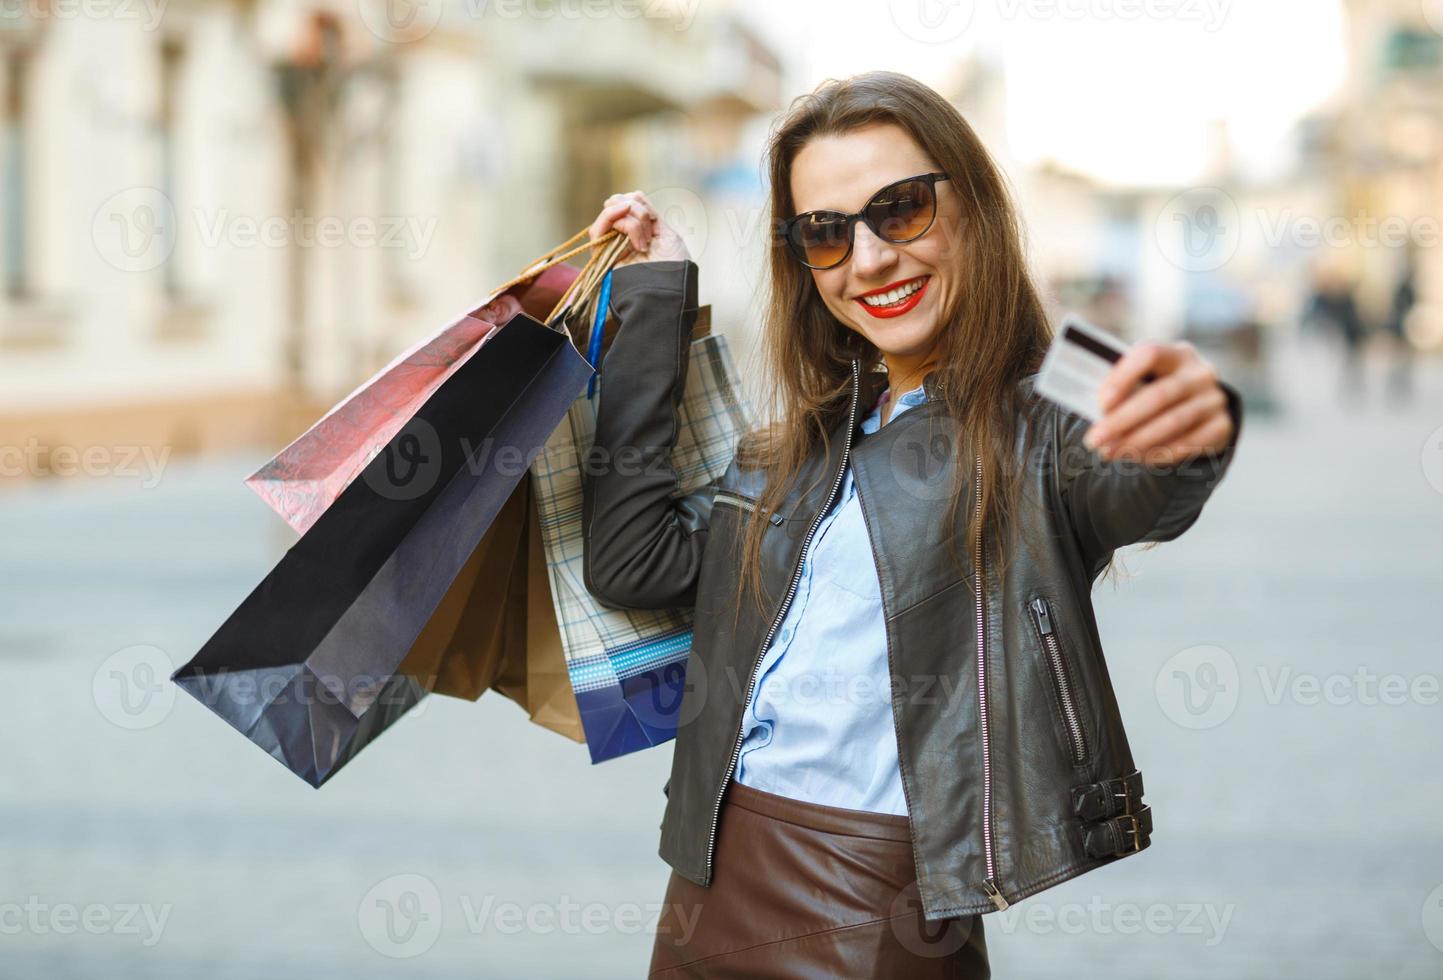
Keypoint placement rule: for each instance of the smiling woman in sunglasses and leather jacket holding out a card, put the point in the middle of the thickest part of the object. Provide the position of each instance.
(898, 712)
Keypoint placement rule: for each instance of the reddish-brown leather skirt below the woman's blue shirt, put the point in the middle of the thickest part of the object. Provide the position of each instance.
(810, 891)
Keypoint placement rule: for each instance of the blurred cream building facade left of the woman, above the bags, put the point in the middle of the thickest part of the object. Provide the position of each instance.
(220, 216)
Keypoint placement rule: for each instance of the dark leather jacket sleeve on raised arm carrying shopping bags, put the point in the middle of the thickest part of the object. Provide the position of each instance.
(643, 541)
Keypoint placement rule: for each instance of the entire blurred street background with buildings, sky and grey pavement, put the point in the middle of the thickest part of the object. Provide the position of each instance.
(217, 217)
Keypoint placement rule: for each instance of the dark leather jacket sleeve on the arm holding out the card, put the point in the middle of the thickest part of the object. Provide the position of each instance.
(1116, 503)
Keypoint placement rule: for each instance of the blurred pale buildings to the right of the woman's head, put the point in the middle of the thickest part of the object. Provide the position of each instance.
(1232, 258)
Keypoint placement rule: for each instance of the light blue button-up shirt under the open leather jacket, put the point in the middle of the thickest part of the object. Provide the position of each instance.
(820, 722)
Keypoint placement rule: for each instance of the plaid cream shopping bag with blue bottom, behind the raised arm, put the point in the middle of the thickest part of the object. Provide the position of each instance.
(628, 668)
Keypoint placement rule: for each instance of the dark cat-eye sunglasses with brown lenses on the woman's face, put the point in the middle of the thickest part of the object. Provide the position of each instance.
(900, 213)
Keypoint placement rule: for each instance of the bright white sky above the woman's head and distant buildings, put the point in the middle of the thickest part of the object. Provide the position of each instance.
(1119, 89)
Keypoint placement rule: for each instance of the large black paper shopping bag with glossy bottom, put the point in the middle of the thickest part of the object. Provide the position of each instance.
(307, 668)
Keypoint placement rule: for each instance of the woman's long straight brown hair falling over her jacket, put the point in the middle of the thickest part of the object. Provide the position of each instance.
(995, 328)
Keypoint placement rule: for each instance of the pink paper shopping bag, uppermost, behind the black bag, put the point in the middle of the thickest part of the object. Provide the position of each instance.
(308, 476)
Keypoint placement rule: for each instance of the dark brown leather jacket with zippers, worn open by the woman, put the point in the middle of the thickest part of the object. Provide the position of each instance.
(1014, 760)
